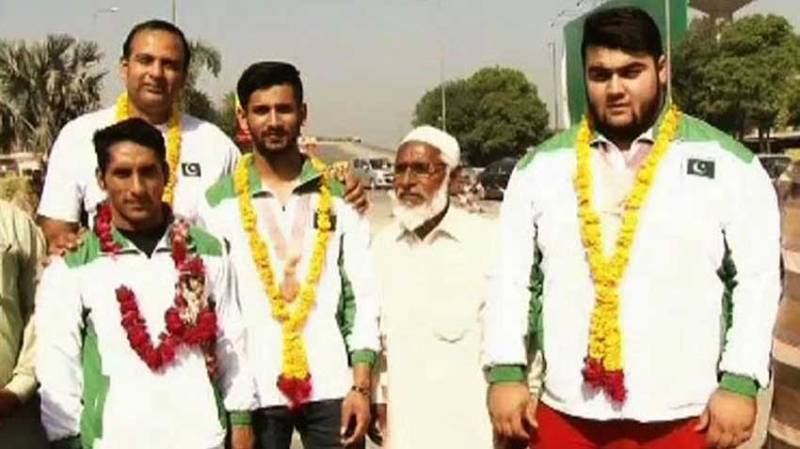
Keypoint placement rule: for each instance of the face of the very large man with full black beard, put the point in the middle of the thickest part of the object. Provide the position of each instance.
(624, 89)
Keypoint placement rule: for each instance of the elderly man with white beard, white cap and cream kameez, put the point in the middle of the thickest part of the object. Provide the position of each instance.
(432, 262)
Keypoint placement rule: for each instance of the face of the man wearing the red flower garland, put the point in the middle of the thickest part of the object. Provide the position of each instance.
(134, 183)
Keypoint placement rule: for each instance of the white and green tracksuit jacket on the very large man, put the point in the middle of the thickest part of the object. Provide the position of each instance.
(698, 300)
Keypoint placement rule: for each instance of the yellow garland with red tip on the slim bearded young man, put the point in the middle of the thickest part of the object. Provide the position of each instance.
(295, 379)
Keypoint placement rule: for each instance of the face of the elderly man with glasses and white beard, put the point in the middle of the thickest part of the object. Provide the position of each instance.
(419, 174)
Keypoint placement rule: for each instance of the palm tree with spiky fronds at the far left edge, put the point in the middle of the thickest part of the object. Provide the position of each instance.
(43, 85)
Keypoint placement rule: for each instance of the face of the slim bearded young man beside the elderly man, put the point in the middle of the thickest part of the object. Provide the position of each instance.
(274, 118)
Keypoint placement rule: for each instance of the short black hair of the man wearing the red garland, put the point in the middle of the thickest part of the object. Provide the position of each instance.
(133, 130)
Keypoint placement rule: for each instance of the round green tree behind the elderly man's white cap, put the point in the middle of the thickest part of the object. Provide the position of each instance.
(494, 113)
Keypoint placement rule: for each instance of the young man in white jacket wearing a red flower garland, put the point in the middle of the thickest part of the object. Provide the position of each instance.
(139, 327)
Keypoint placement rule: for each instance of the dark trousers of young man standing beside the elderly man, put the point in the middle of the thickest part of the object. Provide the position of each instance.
(317, 423)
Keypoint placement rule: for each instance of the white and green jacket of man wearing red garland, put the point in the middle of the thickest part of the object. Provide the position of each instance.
(96, 391)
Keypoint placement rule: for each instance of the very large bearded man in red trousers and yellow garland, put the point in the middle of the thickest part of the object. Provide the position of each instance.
(640, 251)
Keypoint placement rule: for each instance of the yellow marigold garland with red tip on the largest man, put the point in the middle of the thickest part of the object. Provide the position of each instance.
(604, 363)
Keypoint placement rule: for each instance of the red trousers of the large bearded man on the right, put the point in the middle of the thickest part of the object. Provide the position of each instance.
(560, 431)
